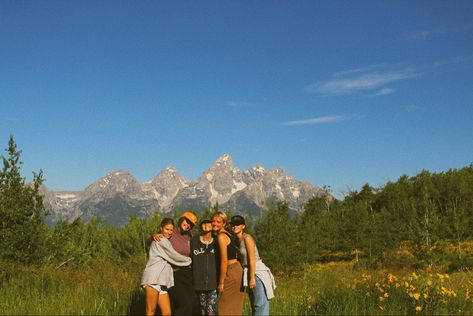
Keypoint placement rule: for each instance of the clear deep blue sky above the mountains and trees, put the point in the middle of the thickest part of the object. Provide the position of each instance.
(339, 93)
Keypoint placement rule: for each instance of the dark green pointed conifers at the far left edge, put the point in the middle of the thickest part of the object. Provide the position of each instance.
(22, 228)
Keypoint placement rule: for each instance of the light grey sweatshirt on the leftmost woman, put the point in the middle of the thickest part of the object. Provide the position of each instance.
(158, 269)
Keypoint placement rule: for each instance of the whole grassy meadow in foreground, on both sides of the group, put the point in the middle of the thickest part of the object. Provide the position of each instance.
(329, 288)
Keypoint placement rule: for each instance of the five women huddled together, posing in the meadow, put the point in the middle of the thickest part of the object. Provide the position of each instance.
(208, 273)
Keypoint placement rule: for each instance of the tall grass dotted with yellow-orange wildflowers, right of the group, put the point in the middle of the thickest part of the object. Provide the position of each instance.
(339, 289)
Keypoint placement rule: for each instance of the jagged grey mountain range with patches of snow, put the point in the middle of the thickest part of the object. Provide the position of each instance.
(116, 196)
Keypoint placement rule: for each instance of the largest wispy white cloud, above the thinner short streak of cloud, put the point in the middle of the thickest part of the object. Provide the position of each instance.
(367, 81)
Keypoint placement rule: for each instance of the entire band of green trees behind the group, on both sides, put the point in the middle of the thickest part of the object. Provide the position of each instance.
(415, 221)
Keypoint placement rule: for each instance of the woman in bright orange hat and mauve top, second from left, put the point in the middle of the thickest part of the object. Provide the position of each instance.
(182, 290)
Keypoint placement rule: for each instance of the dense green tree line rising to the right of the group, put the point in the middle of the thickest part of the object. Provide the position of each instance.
(429, 215)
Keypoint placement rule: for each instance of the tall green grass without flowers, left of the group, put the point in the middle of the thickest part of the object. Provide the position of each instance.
(102, 288)
